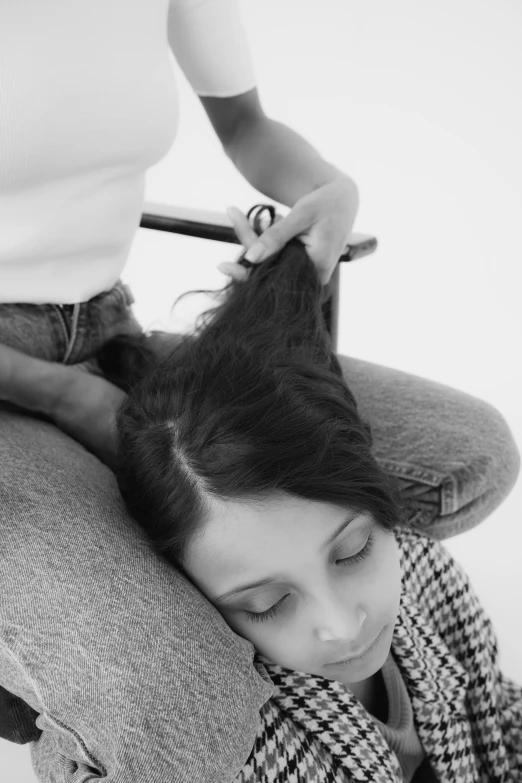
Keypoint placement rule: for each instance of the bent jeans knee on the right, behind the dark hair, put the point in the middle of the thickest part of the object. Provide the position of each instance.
(453, 454)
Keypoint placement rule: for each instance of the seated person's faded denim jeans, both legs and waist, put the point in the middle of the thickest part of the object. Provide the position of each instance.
(113, 665)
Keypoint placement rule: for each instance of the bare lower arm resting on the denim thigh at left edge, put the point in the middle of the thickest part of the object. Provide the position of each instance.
(81, 404)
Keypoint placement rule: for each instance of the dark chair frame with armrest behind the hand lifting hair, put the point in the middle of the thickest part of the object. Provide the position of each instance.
(217, 226)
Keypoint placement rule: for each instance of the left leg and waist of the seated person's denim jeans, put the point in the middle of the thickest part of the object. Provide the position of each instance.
(132, 673)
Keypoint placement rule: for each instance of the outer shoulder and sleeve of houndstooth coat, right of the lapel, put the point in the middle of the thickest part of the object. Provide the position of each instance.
(468, 632)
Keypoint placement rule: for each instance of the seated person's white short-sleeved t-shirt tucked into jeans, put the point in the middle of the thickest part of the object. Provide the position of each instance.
(88, 102)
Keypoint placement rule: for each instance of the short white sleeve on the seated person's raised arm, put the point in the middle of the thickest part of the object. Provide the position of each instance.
(209, 42)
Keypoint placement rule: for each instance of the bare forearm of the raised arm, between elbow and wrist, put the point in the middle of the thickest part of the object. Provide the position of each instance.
(279, 163)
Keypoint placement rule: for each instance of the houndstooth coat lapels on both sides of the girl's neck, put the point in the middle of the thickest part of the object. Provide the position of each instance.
(437, 685)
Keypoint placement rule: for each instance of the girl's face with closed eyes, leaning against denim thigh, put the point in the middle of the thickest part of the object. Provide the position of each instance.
(321, 608)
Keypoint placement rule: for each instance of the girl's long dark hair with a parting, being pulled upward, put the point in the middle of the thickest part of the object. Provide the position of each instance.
(252, 403)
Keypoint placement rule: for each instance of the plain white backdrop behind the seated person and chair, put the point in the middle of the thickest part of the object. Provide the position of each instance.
(420, 104)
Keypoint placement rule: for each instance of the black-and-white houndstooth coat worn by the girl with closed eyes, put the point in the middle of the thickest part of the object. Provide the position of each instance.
(467, 714)
